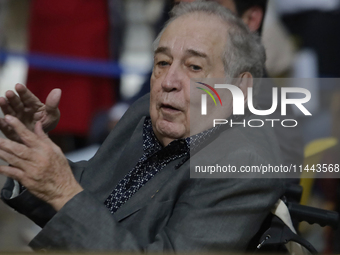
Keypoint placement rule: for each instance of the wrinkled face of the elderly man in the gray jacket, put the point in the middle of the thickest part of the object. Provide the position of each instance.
(191, 47)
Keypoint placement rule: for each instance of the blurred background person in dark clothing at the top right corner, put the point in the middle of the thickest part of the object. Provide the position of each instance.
(312, 25)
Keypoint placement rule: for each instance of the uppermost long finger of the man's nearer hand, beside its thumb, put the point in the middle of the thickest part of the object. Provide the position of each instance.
(28, 138)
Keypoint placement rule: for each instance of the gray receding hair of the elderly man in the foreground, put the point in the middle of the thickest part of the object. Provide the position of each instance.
(243, 52)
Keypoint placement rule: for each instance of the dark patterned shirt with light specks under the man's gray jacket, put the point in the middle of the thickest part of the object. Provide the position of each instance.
(153, 160)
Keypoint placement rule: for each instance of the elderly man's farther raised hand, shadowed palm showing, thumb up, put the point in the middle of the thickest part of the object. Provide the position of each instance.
(29, 109)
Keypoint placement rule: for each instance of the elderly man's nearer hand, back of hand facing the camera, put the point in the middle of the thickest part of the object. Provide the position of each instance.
(38, 164)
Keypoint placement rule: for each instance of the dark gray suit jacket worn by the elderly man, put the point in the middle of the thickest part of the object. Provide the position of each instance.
(172, 212)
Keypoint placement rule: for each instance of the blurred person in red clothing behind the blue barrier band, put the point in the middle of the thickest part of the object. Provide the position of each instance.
(75, 29)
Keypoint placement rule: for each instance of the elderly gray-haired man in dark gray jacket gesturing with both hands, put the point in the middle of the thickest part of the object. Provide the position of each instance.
(136, 194)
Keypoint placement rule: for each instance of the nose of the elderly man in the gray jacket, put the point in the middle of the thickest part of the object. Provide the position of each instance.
(173, 79)
